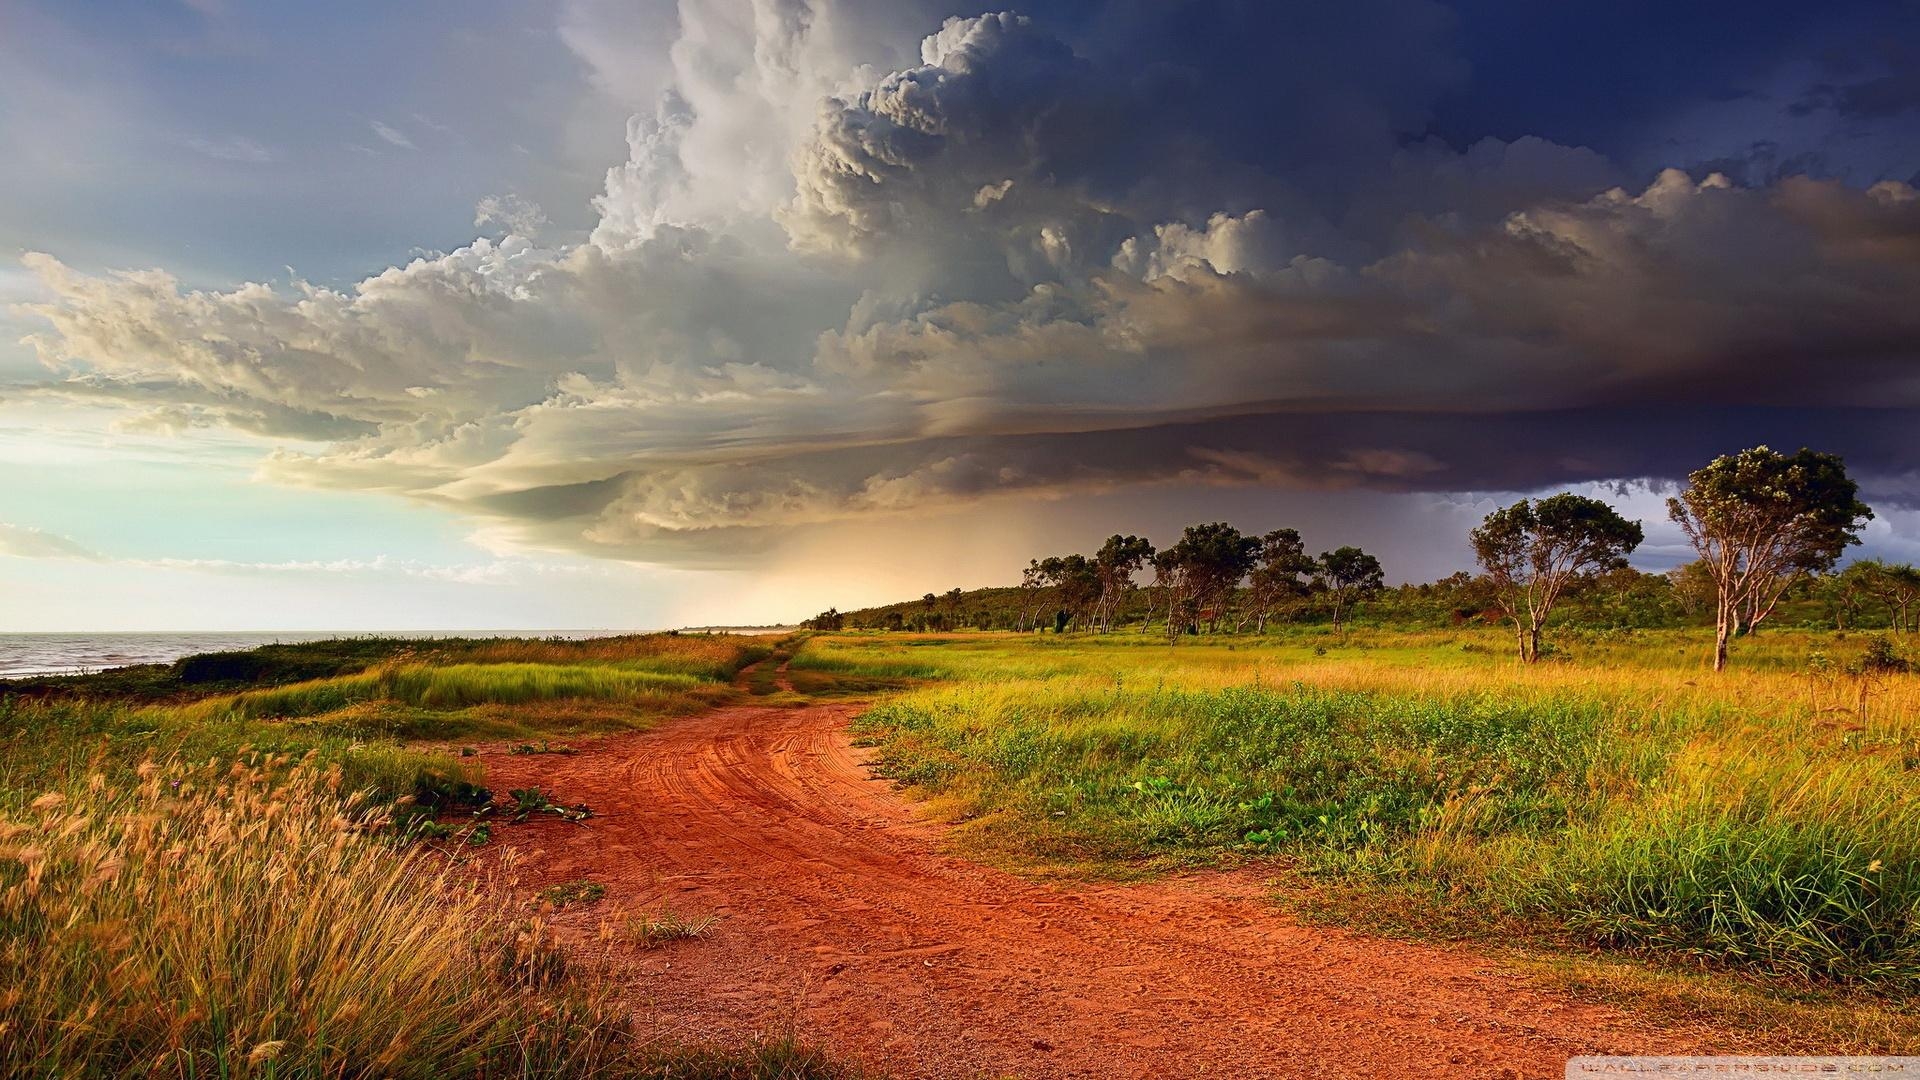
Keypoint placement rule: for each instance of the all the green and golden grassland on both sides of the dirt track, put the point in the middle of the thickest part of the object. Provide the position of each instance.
(1618, 806)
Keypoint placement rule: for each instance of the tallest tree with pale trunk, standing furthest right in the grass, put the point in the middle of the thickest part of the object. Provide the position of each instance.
(1762, 520)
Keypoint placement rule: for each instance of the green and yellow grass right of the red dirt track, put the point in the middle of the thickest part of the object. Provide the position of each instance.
(1767, 822)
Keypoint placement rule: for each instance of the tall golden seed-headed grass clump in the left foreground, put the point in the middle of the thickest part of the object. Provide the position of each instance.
(252, 923)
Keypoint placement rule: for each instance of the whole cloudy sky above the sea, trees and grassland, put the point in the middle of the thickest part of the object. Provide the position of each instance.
(592, 314)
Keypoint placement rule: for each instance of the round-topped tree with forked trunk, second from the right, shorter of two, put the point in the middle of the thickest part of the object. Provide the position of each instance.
(1533, 551)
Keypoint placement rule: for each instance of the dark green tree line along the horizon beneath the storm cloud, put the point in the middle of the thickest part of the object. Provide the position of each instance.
(1767, 529)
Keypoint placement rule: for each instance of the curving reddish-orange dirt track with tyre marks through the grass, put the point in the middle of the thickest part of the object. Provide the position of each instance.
(848, 925)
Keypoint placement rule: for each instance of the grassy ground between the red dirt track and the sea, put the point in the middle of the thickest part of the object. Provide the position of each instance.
(218, 868)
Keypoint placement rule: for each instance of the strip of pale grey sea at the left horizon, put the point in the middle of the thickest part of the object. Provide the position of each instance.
(68, 654)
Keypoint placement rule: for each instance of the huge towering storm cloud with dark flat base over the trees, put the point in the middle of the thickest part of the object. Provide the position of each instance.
(853, 272)
